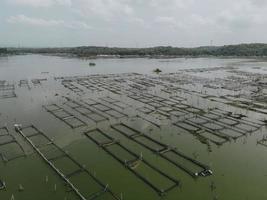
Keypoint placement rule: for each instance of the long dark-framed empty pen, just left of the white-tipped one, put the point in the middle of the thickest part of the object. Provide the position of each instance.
(133, 162)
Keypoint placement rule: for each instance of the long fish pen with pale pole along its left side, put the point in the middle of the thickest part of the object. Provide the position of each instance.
(66, 167)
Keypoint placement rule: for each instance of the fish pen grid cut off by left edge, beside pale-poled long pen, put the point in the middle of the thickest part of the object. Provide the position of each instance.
(10, 148)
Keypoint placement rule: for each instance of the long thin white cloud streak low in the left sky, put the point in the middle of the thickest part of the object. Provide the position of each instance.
(22, 19)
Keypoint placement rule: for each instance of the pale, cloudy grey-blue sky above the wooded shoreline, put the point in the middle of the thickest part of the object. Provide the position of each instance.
(131, 23)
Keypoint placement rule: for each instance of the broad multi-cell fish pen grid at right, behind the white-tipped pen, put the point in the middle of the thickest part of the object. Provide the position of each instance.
(218, 127)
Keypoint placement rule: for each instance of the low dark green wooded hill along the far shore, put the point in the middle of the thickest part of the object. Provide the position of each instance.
(255, 49)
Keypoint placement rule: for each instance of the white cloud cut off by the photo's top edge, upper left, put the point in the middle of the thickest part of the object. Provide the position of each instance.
(40, 3)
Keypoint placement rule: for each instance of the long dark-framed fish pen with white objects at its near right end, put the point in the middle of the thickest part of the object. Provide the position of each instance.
(189, 165)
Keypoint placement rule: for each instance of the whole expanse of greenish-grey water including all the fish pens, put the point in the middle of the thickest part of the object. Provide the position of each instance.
(119, 131)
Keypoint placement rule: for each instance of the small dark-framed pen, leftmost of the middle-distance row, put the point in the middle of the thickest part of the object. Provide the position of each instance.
(64, 116)
